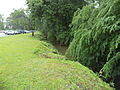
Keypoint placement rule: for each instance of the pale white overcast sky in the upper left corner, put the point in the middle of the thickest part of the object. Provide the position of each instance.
(7, 6)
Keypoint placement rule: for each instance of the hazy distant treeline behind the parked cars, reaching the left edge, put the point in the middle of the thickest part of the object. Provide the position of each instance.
(18, 19)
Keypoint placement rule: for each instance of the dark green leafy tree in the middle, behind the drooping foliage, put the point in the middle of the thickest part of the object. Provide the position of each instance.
(53, 17)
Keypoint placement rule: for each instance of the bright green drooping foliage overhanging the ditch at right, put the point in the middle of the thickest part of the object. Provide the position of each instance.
(96, 42)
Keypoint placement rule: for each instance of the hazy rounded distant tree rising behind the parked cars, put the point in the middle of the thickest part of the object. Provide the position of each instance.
(19, 19)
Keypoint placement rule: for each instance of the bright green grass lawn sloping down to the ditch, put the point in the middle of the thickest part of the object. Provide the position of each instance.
(27, 63)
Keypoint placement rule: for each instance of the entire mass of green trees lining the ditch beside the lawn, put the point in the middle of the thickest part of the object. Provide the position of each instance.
(90, 28)
